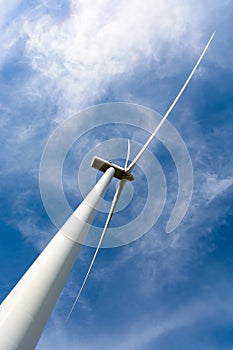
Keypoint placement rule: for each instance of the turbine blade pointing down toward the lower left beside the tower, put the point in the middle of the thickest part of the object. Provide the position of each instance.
(110, 214)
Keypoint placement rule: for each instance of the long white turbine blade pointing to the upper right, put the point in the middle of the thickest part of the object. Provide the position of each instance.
(140, 153)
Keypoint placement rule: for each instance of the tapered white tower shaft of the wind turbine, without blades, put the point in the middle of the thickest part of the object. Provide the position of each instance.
(25, 311)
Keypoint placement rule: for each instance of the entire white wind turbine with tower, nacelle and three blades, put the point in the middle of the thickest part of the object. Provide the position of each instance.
(25, 311)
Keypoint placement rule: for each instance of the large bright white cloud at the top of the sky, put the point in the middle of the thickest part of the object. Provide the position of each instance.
(95, 44)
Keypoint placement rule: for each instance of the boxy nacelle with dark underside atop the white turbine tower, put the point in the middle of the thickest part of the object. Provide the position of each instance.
(103, 165)
